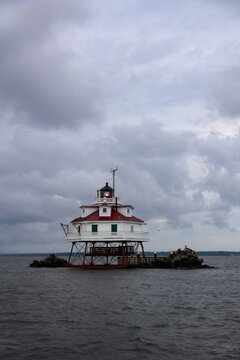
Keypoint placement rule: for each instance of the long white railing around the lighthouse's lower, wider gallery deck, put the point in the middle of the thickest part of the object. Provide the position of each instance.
(108, 236)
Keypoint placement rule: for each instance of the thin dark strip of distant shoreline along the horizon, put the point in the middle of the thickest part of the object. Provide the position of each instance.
(148, 253)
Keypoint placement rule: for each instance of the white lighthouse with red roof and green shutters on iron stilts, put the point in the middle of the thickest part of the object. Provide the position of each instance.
(107, 234)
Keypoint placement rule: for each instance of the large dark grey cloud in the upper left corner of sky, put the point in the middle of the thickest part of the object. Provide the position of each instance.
(41, 83)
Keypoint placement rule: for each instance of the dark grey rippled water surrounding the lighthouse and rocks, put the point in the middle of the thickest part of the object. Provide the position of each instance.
(120, 314)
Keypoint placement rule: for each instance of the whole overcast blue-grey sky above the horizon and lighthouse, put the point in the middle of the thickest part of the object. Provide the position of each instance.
(152, 86)
